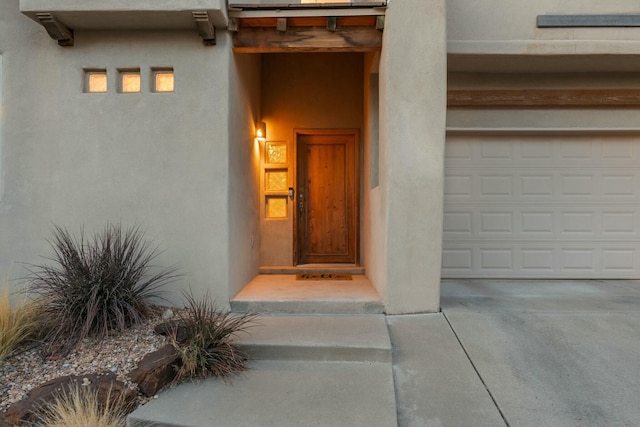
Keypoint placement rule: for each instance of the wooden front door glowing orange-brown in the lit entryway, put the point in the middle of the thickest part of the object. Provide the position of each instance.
(327, 197)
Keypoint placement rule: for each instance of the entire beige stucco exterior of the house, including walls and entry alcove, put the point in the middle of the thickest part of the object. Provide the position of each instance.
(186, 167)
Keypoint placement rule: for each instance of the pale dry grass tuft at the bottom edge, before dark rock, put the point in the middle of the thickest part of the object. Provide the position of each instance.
(80, 407)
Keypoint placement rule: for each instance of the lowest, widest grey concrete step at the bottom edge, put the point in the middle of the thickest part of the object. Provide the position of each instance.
(280, 394)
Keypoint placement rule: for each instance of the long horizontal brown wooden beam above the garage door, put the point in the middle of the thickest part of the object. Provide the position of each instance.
(544, 98)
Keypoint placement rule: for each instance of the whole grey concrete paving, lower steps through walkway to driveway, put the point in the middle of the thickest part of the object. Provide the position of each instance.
(501, 353)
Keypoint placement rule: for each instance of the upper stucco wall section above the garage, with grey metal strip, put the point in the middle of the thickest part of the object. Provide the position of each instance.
(509, 27)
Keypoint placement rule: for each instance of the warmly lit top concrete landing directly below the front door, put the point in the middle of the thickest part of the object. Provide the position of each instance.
(283, 294)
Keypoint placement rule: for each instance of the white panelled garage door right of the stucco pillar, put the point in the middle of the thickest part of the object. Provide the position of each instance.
(545, 206)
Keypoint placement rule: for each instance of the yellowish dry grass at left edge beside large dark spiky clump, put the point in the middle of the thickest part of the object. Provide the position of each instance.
(17, 324)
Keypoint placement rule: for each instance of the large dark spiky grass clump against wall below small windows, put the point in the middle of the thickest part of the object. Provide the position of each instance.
(92, 286)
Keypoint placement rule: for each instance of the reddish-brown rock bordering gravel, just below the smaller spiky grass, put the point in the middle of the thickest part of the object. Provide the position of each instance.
(156, 370)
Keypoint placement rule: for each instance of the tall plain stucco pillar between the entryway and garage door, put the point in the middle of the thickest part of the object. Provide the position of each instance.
(412, 133)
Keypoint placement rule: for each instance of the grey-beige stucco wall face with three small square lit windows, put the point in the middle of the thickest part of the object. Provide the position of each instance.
(78, 159)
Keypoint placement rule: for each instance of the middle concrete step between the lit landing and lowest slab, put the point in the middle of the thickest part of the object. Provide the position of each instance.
(362, 338)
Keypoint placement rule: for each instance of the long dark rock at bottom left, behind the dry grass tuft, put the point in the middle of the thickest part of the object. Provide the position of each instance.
(107, 386)
